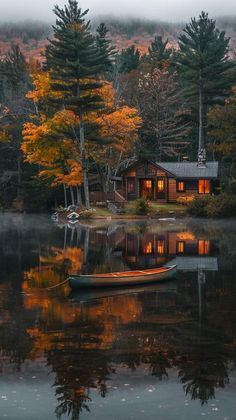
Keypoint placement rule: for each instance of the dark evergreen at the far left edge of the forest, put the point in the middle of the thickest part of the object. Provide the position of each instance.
(15, 81)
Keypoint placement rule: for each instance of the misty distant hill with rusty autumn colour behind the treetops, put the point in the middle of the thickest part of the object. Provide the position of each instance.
(32, 37)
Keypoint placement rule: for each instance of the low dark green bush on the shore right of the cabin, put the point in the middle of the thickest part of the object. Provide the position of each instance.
(223, 205)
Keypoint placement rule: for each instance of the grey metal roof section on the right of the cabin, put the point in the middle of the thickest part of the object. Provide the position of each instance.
(190, 169)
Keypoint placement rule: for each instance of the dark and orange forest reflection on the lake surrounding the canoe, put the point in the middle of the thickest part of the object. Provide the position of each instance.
(87, 343)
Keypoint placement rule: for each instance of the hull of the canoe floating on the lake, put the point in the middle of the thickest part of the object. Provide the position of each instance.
(82, 281)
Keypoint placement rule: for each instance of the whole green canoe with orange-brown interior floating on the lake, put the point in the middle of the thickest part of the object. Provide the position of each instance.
(123, 278)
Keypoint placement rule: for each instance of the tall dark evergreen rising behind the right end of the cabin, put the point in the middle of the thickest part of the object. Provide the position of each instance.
(204, 65)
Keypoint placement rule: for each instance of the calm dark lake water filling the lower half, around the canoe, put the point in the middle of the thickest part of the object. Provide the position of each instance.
(160, 352)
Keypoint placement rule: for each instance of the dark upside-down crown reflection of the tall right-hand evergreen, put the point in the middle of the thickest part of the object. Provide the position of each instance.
(202, 362)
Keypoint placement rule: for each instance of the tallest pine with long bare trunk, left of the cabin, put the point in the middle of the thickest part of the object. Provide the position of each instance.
(76, 64)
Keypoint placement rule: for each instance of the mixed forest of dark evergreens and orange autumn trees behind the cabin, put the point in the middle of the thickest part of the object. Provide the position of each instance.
(87, 108)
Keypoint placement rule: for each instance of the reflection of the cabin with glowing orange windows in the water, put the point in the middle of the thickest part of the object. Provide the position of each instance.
(156, 249)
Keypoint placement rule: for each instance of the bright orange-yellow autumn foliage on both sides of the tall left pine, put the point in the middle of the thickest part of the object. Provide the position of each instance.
(50, 139)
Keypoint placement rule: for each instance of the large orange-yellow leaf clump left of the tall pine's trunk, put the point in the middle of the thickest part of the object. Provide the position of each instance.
(46, 144)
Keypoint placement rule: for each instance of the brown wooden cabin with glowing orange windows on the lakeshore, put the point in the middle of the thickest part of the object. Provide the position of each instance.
(167, 181)
